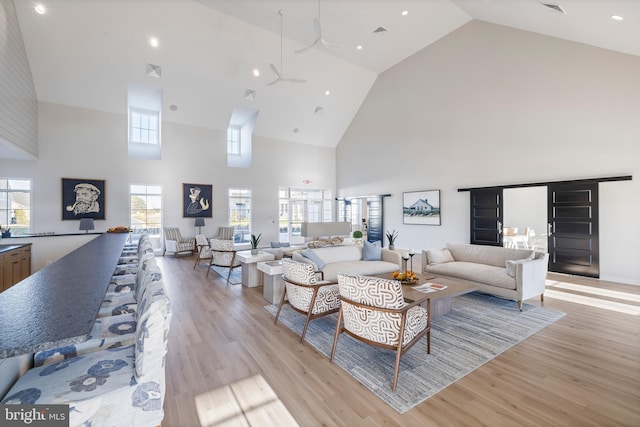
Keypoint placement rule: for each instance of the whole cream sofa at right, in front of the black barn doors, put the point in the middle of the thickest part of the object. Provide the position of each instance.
(510, 273)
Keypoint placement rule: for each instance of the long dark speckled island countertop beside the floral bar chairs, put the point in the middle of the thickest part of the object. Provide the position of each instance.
(58, 305)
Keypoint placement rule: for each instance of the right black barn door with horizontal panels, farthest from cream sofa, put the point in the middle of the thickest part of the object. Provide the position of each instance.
(573, 229)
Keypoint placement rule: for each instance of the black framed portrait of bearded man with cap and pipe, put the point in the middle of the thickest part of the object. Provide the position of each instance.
(83, 198)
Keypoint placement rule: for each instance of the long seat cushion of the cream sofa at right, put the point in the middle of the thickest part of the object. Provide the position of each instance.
(483, 273)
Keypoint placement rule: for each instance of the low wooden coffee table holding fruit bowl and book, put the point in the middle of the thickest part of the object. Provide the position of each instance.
(441, 301)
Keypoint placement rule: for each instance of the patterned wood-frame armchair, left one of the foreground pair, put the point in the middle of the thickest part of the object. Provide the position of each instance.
(305, 293)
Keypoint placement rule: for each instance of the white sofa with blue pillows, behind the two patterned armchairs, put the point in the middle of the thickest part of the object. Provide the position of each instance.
(348, 259)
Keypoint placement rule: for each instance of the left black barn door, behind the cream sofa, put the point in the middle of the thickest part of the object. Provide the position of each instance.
(486, 217)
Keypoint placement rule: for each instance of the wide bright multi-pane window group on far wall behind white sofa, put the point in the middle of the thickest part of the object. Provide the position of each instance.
(302, 205)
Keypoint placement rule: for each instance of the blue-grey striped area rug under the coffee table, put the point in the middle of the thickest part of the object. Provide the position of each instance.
(479, 328)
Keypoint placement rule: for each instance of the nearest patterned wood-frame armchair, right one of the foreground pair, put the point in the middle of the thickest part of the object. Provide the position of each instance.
(374, 311)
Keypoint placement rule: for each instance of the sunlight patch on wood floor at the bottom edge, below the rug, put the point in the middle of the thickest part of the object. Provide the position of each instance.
(247, 402)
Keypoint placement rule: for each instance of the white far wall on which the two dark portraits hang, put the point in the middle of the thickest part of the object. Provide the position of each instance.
(79, 143)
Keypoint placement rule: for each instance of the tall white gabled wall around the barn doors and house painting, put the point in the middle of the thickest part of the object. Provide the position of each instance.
(490, 105)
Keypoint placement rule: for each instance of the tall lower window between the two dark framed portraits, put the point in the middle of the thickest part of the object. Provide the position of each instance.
(146, 212)
